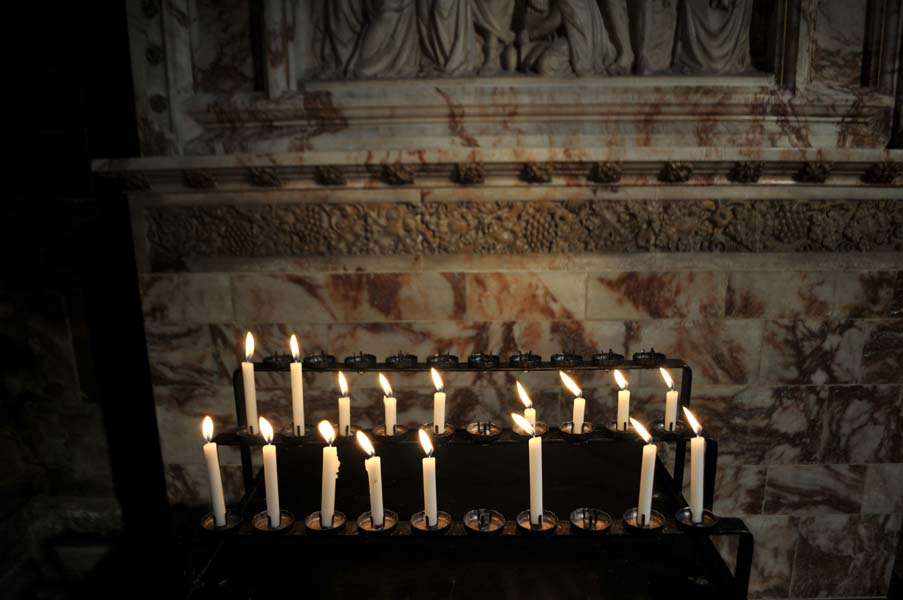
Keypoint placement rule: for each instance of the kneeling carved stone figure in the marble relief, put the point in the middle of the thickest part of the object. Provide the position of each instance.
(565, 36)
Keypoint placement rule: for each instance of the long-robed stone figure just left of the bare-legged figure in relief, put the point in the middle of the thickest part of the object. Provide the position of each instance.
(446, 36)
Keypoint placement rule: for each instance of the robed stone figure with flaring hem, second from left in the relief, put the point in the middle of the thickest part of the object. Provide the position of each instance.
(390, 45)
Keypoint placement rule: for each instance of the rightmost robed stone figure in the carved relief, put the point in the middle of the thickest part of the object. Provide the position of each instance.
(713, 36)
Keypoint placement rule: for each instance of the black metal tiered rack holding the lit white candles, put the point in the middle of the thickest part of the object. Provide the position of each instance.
(482, 488)
